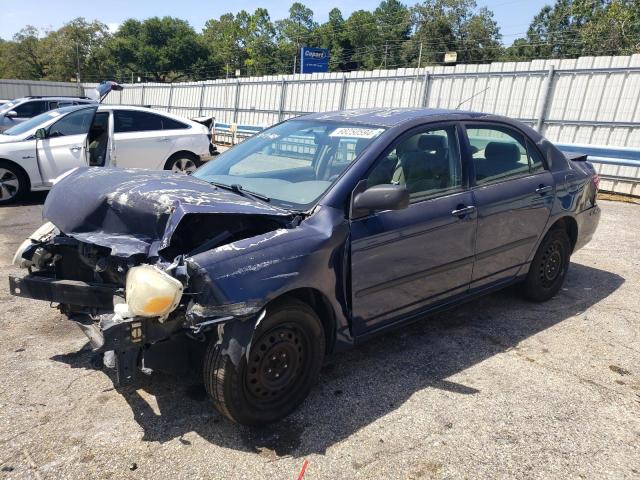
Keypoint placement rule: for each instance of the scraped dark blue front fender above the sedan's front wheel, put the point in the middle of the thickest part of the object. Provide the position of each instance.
(234, 284)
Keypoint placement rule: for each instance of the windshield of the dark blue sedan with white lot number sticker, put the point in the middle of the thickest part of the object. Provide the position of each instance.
(293, 163)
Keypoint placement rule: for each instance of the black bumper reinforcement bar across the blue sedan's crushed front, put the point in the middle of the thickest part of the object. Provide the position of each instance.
(69, 292)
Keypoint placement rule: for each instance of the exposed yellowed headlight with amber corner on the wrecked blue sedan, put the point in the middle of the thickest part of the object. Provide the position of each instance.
(150, 292)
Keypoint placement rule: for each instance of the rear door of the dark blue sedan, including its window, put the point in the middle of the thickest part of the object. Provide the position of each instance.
(514, 195)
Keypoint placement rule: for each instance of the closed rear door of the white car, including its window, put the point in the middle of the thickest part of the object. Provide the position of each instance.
(139, 141)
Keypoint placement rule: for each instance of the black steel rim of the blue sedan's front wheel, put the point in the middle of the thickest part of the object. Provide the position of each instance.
(275, 364)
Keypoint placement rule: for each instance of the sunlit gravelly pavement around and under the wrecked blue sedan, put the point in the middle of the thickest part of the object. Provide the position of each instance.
(497, 388)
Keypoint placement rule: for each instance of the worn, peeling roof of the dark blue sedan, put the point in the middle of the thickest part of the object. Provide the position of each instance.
(389, 117)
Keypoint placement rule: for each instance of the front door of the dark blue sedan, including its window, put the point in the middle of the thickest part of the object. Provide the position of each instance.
(407, 260)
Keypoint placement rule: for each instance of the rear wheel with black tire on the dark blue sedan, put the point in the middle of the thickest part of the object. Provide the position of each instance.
(549, 267)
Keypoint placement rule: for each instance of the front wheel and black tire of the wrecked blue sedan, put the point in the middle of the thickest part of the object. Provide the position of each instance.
(285, 358)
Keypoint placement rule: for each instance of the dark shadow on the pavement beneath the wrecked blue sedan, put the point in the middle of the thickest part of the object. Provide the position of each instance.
(364, 384)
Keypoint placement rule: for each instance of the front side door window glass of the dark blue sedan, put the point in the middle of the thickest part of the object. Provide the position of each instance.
(427, 163)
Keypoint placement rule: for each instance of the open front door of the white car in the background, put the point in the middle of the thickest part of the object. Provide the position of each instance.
(64, 147)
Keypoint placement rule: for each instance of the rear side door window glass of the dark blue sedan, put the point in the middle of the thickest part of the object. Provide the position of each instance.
(499, 153)
